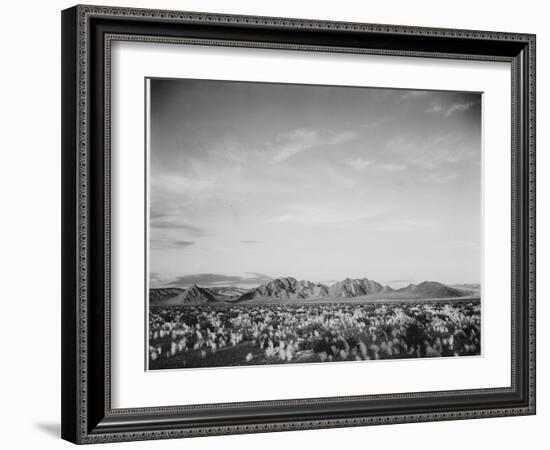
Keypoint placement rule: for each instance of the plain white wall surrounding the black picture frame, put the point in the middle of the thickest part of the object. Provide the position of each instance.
(30, 225)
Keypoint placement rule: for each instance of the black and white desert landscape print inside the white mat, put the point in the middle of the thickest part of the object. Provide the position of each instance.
(292, 223)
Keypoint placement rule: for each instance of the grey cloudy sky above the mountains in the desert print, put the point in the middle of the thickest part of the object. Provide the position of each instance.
(252, 181)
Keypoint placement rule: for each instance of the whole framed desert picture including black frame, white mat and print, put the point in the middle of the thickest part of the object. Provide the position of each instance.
(279, 224)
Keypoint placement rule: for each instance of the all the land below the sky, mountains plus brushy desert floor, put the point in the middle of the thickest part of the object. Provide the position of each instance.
(290, 321)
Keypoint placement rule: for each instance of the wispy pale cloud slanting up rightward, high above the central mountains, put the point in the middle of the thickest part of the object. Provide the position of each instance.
(287, 145)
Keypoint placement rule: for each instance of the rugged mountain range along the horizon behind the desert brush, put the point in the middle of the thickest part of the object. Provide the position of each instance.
(289, 289)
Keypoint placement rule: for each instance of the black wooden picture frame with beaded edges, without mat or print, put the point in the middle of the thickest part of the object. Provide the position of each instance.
(87, 32)
